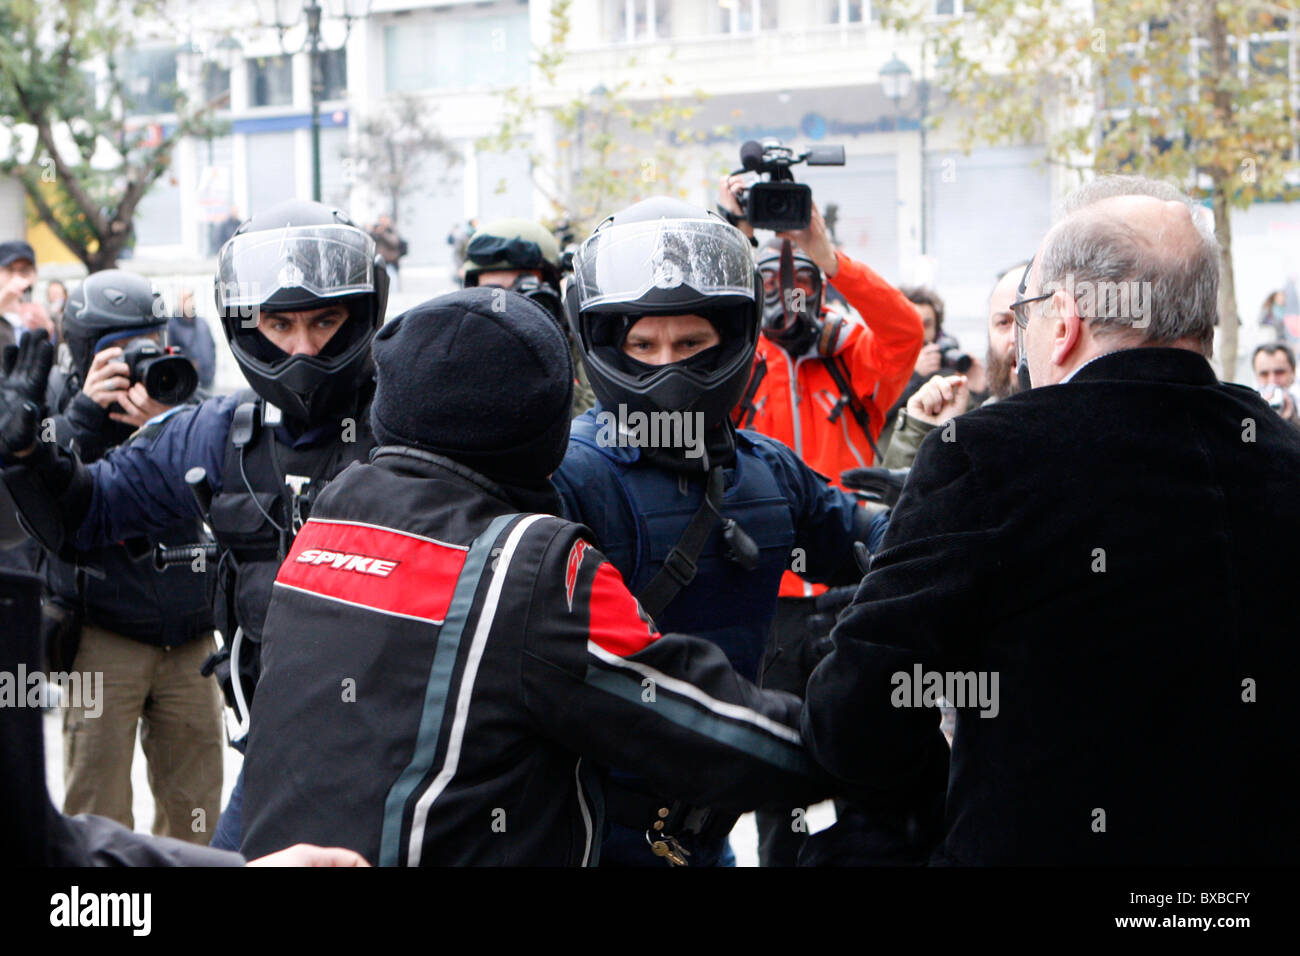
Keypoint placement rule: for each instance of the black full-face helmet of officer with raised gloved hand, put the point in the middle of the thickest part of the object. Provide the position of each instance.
(302, 256)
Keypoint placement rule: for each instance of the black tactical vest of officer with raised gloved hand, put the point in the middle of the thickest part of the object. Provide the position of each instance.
(267, 492)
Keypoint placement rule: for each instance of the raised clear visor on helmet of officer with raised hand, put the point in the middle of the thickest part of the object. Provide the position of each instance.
(324, 262)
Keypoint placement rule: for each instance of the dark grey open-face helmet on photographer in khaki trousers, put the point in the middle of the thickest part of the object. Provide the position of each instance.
(107, 309)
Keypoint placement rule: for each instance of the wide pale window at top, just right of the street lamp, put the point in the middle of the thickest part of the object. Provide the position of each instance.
(454, 53)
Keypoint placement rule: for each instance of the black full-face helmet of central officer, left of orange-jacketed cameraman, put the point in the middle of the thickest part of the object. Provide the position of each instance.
(666, 257)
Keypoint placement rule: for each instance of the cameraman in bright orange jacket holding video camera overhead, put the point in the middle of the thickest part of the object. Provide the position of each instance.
(821, 384)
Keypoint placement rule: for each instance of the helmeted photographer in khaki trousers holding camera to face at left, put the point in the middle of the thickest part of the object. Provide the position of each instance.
(109, 611)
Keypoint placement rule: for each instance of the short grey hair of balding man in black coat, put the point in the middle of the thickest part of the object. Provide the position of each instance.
(1159, 288)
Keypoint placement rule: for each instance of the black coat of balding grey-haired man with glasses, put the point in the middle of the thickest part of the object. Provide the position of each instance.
(1120, 551)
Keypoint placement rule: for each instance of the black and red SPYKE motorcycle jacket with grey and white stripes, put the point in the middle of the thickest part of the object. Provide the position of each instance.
(444, 680)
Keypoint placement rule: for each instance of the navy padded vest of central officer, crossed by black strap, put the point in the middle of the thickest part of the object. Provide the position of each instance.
(725, 604)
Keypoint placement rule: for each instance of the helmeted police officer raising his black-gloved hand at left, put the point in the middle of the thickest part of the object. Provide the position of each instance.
(301, 293)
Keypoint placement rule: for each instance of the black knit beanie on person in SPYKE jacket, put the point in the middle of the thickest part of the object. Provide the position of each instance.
(482, 377)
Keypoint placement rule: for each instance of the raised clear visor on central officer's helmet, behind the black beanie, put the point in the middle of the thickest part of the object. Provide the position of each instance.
(622, 263)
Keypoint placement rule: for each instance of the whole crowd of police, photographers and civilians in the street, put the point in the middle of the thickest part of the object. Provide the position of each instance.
(580, 563)
